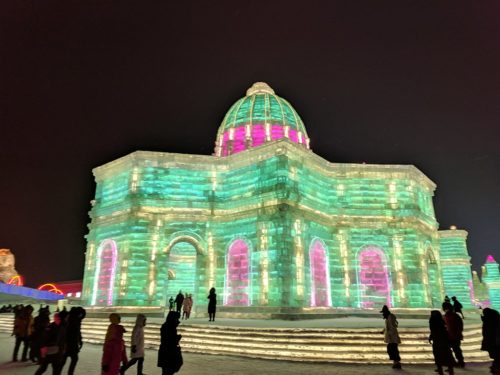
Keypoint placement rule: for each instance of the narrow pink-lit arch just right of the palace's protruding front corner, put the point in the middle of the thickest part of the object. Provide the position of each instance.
(320, 275)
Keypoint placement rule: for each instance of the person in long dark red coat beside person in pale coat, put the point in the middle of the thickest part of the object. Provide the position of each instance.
(114, 347)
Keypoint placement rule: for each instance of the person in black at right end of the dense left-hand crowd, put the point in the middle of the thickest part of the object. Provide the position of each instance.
(73, 337)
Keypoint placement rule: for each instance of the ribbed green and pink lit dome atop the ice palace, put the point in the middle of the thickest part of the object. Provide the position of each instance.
(259, 117)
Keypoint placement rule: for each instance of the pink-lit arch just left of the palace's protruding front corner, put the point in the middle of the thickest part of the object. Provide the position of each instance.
(237, 274)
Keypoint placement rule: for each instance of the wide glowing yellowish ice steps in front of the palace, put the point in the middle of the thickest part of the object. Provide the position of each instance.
(347, 345)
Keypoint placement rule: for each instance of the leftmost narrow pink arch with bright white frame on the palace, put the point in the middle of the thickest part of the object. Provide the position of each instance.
(105, 270)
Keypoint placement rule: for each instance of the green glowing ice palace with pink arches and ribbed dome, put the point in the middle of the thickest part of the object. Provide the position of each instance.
(272, 226)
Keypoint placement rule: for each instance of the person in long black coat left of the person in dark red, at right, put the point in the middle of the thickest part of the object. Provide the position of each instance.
(440, 343)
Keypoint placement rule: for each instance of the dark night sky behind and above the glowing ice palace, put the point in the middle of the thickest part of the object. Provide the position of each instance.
(82, 83)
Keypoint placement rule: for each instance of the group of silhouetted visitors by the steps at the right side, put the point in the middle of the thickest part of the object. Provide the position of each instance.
(446, 335)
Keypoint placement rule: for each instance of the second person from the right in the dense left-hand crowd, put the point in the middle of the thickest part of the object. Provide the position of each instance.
(52, 349)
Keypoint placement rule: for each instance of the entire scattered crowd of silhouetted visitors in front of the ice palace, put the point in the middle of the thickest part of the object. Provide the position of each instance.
(53, 343)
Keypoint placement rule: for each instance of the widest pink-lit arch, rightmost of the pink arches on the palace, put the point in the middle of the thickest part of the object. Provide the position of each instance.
(373, 278)
